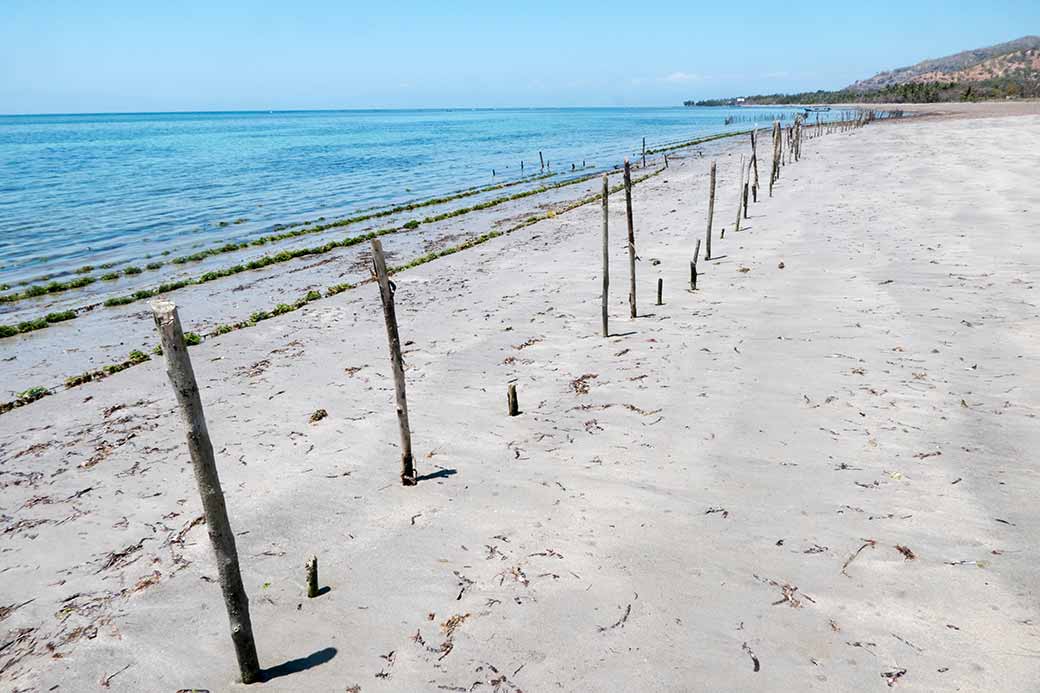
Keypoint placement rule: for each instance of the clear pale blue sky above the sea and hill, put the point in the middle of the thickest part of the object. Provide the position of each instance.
(145, 56)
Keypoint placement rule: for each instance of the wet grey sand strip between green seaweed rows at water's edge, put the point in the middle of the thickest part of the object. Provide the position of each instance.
(54, 366)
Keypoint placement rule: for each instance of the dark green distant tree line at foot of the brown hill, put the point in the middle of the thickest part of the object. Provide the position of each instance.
(1000, 88)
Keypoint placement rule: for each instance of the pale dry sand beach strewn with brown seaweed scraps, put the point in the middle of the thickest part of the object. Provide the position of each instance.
(815, 478)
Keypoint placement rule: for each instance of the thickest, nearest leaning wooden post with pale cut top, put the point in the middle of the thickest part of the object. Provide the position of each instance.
(184, 381)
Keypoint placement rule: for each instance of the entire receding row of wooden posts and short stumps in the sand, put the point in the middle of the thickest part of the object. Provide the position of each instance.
(787, 147)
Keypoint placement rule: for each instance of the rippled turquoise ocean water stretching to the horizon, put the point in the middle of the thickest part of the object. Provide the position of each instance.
(113, 190)
